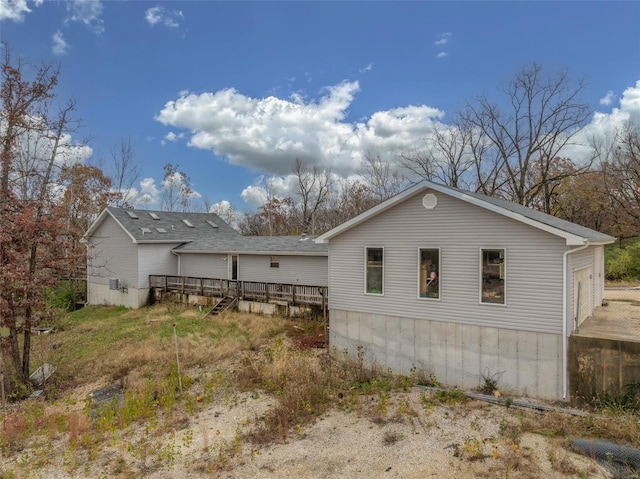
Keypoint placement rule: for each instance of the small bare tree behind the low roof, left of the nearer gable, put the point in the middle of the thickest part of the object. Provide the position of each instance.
(314, 186)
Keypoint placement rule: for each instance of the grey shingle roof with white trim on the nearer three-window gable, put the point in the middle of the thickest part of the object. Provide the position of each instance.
(572, 233)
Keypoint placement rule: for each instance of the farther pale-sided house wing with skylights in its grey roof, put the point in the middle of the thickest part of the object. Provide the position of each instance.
(125, 246)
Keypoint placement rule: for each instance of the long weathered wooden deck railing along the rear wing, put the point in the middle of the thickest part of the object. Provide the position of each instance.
(251, 290)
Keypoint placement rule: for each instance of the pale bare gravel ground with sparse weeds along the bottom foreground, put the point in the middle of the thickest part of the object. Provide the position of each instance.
(412, 439)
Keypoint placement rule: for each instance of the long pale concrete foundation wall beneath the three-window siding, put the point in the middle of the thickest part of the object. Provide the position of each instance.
(525, 363)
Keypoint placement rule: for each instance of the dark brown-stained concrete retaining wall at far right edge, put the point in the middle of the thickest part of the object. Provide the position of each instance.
(601, 366)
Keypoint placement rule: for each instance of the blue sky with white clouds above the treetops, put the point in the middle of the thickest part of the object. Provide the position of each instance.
(233, 92)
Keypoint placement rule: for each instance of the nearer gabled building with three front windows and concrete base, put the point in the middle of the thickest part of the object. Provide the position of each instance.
(465, 286)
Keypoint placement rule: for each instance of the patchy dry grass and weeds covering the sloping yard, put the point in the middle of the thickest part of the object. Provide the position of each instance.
(227, 355)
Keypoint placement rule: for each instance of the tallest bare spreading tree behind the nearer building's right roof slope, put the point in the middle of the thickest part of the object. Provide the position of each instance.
(540, 118)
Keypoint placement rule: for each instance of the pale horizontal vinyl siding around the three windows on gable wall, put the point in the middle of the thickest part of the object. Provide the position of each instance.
(534, 268)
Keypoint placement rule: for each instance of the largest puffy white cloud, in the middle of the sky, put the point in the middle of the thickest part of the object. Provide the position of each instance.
(269, 134)
